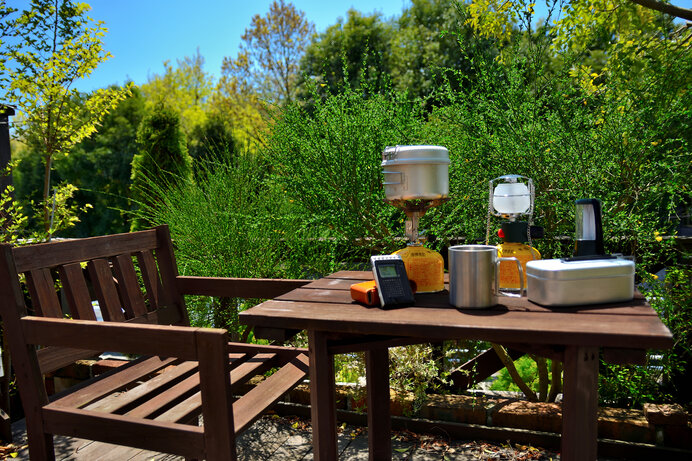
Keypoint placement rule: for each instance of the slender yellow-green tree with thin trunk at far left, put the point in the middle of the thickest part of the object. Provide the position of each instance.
(59, 45)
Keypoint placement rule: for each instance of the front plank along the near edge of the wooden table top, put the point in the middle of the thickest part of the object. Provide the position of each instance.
(498, 325)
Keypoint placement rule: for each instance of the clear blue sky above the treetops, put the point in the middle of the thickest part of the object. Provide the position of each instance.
(142, 34)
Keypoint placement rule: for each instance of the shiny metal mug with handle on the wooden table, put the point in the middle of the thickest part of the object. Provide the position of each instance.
(473, 275)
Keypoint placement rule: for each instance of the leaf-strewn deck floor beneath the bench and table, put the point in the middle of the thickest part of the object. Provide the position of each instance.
(282, 439)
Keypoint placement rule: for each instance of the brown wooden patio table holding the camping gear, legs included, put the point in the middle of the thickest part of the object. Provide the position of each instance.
(575, 335)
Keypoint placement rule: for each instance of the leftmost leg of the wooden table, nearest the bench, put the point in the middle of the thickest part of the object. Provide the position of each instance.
(322, 397)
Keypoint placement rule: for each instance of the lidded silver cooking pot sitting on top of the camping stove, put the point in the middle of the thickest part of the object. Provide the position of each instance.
(415, 172)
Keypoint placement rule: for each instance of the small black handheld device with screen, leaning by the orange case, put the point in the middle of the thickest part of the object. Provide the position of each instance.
(393, 286)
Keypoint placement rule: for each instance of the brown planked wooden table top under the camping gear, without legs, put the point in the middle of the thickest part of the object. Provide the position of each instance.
(326, 305)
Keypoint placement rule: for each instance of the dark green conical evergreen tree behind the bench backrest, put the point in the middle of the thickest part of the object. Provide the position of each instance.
(162, 160)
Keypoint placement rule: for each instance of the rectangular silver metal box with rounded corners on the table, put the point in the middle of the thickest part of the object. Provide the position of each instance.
(556, 282)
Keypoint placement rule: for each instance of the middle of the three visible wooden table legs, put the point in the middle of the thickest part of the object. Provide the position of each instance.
(379, 420)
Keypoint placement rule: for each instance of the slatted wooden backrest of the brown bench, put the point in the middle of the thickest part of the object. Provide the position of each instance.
(126, 277)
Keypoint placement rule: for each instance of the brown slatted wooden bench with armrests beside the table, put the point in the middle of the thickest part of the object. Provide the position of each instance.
(154, 402)
